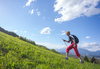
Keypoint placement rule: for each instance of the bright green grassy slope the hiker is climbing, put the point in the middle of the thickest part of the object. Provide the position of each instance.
(17, 54)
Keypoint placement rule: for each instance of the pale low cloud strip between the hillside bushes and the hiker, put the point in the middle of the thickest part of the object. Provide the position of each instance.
(51, 46)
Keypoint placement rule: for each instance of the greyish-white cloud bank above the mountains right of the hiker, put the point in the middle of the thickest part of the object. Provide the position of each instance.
(91, 46)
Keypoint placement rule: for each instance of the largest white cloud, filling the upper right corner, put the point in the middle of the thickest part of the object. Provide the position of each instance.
(71, 9)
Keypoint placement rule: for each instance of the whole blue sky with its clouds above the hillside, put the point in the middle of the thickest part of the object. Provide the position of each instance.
(46, 22)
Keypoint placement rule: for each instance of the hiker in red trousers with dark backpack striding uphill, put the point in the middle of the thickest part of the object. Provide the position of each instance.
(74, 40)
